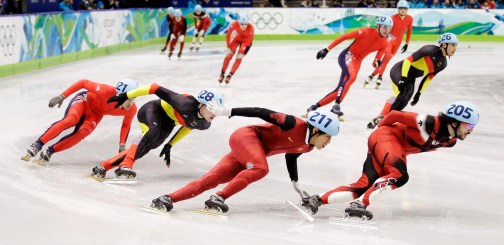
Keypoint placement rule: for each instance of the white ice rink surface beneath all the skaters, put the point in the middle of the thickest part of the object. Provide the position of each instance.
(453, 196)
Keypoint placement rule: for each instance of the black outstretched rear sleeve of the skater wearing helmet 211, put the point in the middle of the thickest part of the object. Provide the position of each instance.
(284, 121)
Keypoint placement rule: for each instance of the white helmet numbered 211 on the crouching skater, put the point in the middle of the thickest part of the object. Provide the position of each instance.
(324, 120)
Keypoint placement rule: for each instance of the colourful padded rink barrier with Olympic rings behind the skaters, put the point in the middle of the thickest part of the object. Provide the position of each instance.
(30, 42)
